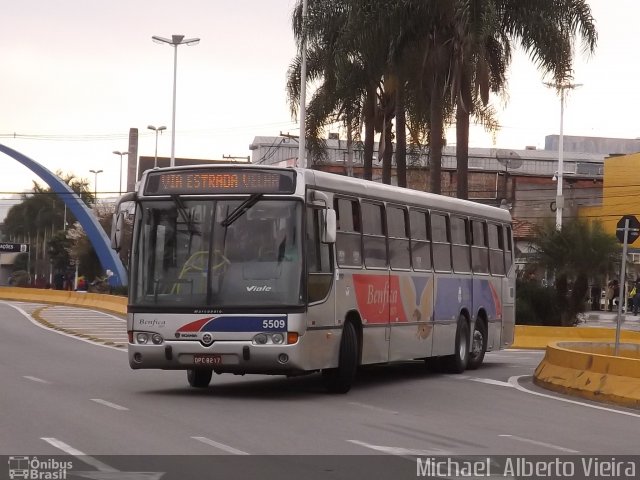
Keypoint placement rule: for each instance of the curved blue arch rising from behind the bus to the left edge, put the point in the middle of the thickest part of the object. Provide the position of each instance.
(109, 259)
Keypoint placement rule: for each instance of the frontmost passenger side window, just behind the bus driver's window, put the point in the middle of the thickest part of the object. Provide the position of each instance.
(348, 237)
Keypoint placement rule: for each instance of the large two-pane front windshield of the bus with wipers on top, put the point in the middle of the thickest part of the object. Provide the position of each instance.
(218, 253)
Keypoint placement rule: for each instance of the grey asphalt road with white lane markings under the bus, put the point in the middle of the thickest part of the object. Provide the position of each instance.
(63, 395)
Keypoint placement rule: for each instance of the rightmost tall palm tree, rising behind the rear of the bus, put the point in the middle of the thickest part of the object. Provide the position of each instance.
(484, 32)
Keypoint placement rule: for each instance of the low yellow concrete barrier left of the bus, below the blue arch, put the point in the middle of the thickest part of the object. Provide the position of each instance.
(109, 303)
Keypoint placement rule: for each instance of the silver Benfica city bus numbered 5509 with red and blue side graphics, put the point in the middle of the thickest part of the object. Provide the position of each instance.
(255, 269)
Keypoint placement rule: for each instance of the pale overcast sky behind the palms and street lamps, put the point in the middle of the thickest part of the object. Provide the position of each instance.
(77, 74)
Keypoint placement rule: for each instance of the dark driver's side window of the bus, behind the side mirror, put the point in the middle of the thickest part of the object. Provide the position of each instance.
(319, 267)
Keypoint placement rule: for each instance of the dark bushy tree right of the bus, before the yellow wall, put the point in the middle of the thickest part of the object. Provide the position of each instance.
(581, 251)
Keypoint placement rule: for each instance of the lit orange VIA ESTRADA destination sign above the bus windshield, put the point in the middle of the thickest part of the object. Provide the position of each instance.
(214, 181)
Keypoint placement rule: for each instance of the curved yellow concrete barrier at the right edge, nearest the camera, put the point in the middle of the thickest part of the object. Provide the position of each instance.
(590, 370)
